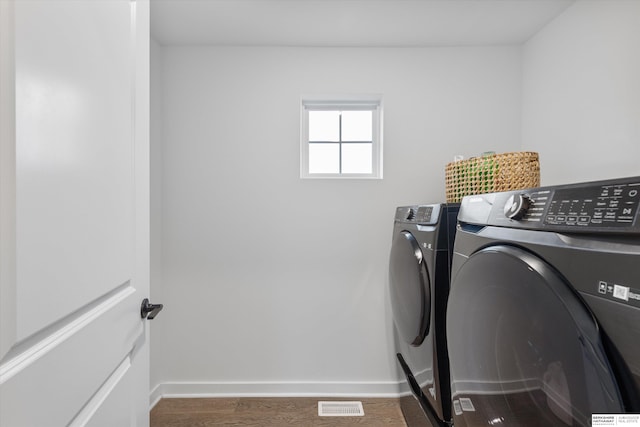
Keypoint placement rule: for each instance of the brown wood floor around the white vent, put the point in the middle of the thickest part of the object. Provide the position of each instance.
(269, 412)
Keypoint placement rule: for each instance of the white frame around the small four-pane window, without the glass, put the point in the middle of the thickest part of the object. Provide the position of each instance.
(371, 103)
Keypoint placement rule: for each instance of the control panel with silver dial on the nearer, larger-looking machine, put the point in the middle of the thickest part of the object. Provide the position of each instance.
(612, 206)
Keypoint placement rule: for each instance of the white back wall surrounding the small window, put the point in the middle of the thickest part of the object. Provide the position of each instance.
(274, 284)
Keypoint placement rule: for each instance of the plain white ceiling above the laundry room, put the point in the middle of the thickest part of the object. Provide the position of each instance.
(362, 23)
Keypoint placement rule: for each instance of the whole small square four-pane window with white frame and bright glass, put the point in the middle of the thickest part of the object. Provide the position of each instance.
(341, 139)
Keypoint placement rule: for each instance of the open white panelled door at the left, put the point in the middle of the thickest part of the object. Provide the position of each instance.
(74, 212)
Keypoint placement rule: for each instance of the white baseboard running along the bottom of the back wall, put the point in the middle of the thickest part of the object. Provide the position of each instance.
(278, 389)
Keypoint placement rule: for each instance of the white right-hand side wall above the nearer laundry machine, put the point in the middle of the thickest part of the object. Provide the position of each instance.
(581, 93)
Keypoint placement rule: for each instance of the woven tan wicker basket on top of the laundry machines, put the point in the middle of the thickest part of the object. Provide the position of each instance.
(492, 173)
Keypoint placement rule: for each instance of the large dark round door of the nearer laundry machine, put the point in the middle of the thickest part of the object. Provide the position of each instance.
(524, 350)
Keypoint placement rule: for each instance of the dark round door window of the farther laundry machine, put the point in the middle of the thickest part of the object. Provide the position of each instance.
(409, 289)
